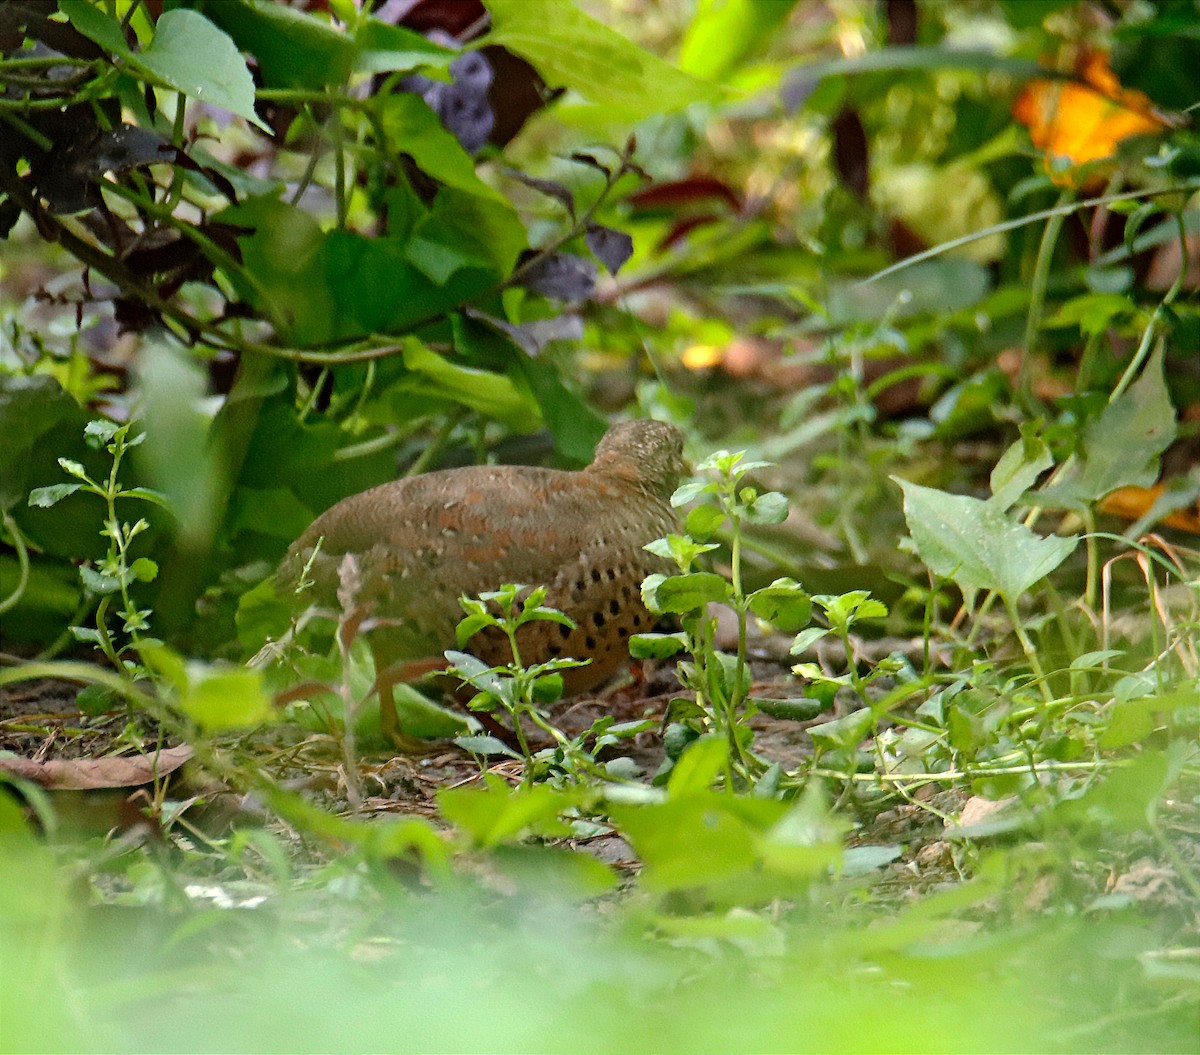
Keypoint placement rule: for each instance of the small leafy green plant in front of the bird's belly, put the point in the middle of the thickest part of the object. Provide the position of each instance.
(521, 692)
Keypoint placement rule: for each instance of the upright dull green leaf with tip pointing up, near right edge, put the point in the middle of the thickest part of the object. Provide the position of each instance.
(1121, 447)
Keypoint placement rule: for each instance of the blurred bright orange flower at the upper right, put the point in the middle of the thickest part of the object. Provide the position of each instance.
(1085, 122)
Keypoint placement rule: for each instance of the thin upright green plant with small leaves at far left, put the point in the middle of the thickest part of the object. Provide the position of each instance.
(122, 625)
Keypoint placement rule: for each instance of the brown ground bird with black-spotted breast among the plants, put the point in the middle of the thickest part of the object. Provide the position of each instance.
(425, 542)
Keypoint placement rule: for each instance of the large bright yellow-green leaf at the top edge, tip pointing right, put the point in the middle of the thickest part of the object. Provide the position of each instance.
(573, 50)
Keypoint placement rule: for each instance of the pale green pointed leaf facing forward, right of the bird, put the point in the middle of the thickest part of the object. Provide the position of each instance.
(976, 544)
